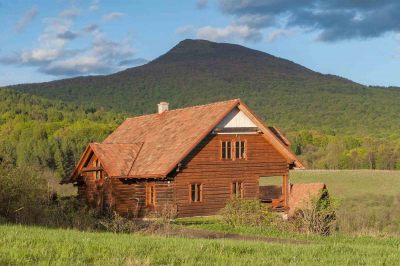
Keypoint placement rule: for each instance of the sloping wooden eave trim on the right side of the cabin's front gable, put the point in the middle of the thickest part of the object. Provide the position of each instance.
(270, 136)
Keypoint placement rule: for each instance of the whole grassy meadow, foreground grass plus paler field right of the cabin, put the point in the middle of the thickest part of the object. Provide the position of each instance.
(368, 234)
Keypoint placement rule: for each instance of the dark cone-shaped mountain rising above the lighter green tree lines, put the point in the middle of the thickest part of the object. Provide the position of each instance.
(196, 71)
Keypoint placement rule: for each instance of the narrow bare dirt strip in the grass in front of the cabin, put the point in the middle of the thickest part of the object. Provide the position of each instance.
(199, 233)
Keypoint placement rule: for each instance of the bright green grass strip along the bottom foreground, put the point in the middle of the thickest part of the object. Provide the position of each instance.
(21, 245)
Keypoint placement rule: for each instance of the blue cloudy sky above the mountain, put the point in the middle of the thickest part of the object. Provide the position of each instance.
(44, 40)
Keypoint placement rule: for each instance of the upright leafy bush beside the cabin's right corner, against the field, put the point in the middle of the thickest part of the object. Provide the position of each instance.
(319, 216)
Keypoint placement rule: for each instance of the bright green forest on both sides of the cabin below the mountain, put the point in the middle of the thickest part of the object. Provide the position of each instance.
(51, 135)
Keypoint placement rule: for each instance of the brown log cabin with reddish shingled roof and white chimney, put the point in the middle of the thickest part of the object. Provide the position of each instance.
(194, 159)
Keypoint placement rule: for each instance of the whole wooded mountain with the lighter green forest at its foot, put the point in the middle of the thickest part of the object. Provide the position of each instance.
(332, 122)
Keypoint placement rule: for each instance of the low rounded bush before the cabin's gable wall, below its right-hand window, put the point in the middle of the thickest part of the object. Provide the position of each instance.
(240, 212)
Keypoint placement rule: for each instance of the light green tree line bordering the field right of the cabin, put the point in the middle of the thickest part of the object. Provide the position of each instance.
(324, 151)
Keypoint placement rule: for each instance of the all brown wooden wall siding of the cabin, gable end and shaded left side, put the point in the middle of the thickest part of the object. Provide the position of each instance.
(203, 165)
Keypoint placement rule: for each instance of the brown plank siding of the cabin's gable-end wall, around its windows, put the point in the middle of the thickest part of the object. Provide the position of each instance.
(204, 165)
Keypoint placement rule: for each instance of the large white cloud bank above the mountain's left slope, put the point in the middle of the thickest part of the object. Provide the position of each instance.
(52, 53)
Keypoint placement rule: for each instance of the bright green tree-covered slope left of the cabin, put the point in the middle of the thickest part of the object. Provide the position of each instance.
(48, 134)
